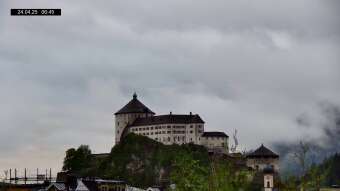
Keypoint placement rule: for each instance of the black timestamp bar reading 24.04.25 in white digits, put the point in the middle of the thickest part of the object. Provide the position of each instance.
(35, 12)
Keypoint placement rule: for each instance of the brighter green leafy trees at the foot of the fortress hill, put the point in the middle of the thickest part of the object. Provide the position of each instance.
(189, 175)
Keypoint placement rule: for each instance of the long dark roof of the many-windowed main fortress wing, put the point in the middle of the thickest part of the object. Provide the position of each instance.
(167, 119)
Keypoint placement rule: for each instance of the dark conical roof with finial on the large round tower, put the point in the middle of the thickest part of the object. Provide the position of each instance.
(134, 106)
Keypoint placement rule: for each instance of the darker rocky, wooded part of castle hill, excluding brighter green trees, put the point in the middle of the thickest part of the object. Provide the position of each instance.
(137, 159)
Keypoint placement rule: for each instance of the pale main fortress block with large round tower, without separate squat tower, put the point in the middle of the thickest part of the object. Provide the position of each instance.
(168, 129)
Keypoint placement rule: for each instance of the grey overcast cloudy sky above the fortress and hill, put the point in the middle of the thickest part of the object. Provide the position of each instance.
(255, 66)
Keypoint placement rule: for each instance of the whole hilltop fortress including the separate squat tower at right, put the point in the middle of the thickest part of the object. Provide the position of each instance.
(171, 128)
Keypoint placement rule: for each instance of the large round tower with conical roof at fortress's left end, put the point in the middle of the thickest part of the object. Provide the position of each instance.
(127, 115)
